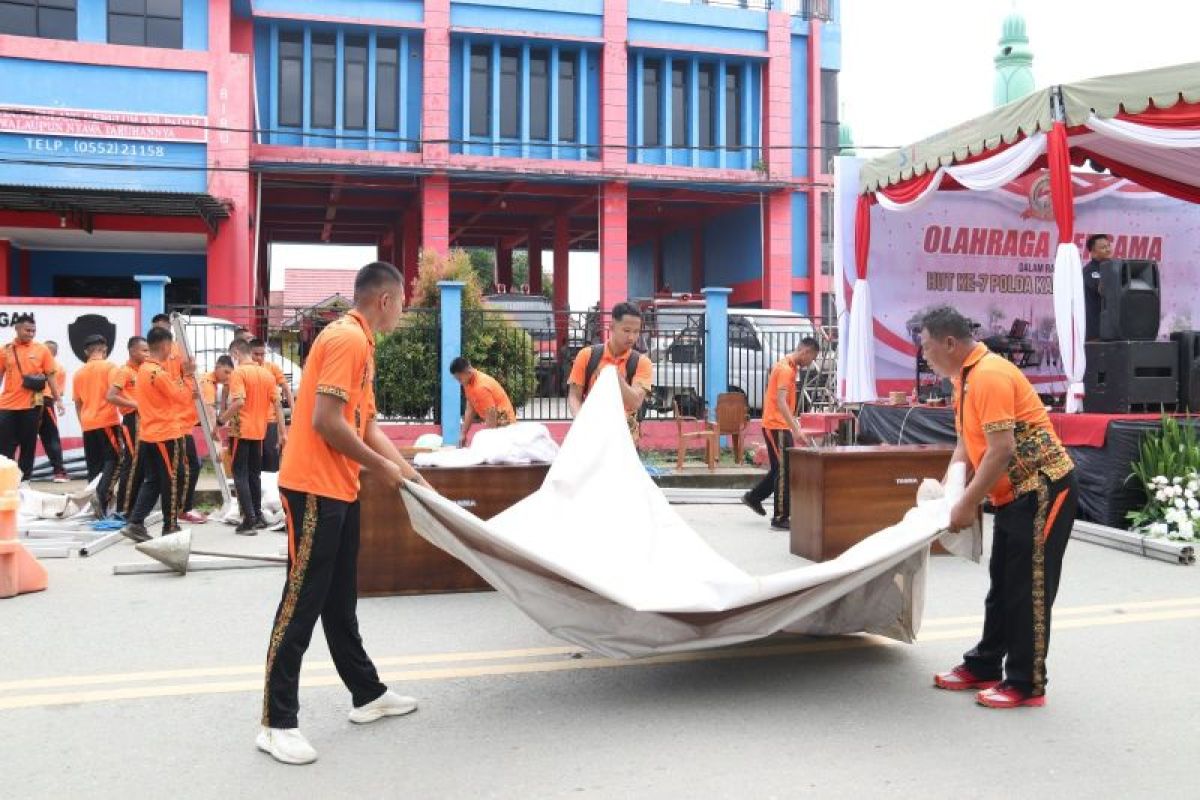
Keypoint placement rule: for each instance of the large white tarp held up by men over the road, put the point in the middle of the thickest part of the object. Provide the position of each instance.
(601, 560)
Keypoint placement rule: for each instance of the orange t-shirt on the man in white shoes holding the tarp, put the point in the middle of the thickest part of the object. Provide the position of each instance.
(341, 364)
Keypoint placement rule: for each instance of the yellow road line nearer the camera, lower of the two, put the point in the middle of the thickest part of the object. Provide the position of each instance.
(479, 671)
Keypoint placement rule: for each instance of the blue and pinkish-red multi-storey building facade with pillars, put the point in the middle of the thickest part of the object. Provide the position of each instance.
(688, 142)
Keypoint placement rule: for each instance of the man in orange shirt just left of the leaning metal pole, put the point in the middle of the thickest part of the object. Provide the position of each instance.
(159, 396)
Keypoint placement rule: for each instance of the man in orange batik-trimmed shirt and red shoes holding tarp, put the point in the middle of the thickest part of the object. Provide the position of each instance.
(1018, 464)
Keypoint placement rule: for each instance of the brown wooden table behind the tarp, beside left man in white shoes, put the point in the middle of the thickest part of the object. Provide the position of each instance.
(394, 560)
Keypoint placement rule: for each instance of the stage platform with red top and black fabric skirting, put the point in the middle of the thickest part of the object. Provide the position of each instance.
(1102, 446)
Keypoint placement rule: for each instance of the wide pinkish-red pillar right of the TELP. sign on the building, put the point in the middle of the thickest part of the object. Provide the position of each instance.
(231, 251)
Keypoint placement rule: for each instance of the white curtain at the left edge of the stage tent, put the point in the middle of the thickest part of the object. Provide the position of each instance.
(856, 346)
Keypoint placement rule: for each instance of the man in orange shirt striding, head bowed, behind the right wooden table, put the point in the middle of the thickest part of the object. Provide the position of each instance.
(781, 430)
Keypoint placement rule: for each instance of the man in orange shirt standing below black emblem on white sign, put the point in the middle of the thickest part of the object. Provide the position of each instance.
(99, 419)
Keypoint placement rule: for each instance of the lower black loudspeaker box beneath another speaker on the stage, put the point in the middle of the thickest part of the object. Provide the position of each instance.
(1123, 376)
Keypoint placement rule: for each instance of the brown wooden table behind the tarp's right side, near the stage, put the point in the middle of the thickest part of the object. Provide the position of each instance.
(841, 496)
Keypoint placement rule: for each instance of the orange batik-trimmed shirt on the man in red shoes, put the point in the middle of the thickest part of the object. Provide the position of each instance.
(991, 395)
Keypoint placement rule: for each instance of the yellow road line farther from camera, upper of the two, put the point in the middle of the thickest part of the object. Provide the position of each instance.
(235, 671)
